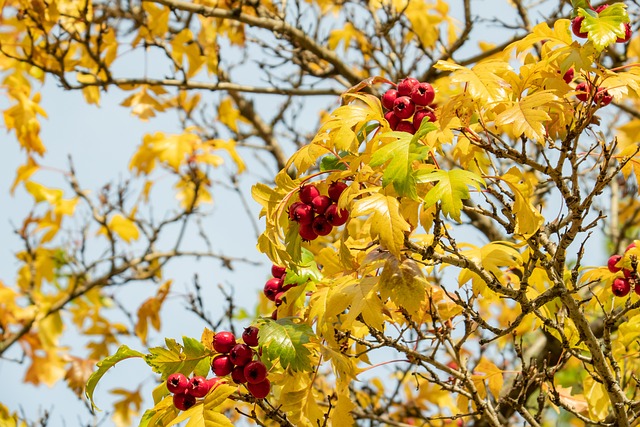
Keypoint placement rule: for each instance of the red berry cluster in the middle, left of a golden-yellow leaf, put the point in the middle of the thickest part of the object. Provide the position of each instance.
(317, 214)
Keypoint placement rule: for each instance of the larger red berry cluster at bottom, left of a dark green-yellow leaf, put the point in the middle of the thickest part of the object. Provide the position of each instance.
(237, 359)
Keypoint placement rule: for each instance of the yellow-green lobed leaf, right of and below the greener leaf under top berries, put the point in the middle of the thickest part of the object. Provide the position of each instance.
(452, 188)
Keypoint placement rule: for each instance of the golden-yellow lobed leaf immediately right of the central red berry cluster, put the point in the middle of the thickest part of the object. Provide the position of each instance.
(385, 220)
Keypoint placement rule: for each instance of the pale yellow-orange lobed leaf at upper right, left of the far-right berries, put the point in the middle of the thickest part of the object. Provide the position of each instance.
(529, 115)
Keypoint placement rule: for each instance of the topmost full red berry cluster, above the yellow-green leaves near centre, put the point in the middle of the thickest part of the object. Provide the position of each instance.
(409, 104)
